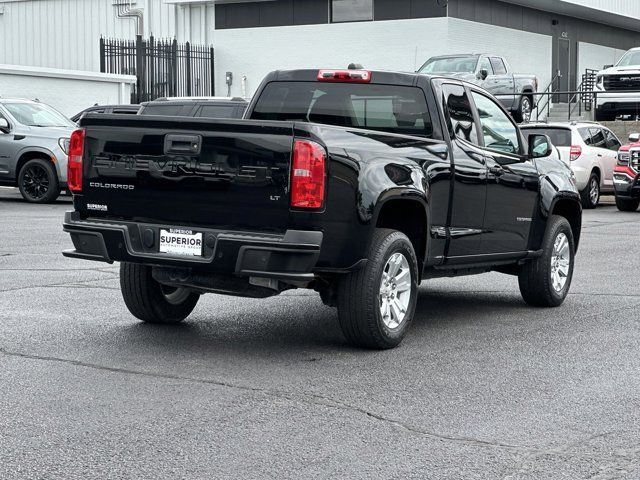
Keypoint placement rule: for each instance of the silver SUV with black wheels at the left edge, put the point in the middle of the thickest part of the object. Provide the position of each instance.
(34, 139)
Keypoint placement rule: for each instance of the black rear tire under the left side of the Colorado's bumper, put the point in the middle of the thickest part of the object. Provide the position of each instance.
(150, 301)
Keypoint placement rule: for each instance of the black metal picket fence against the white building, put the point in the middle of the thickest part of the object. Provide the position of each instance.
(164, 68)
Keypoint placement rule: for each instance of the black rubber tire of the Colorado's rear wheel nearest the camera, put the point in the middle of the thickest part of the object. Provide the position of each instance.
(360, 299)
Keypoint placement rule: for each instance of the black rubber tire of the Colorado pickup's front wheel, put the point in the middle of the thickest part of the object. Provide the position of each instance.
(535, 278)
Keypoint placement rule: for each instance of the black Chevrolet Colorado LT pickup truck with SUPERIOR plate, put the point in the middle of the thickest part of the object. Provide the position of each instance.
(354, 183)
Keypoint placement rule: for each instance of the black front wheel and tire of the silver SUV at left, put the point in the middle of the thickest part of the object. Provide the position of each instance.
(38, 181)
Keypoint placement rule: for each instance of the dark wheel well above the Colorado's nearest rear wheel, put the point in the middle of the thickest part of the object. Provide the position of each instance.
(410, 218)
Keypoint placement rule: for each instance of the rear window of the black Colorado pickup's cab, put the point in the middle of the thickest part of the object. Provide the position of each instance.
(375, 107)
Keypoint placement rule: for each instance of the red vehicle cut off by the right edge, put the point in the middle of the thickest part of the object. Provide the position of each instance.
(626, 175)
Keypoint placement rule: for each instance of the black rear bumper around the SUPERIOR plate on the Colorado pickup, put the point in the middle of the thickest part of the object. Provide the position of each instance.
(290, 256)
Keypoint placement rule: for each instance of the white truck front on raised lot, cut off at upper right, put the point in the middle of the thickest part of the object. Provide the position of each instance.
(618, 88)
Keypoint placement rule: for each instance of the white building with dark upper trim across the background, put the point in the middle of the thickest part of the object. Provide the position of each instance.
(253, 37)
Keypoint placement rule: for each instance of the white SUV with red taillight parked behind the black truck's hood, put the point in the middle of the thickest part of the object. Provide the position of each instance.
(590, 149)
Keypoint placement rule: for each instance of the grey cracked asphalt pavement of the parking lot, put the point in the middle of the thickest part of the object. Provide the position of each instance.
(482, 387)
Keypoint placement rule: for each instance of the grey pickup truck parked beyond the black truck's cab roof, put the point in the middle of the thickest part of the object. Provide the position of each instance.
(491, 72)
